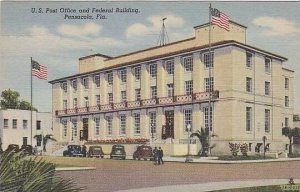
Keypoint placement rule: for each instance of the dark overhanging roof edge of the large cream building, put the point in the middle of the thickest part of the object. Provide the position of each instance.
(192, 49)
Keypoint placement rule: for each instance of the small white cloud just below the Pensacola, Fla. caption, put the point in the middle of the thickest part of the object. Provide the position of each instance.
(80, 30)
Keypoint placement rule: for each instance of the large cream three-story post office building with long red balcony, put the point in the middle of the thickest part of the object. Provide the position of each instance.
(157, 92)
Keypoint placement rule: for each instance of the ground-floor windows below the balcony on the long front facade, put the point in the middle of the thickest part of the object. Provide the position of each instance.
(187, 115)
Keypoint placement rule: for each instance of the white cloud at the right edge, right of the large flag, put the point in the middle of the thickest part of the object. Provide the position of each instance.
(276, 26)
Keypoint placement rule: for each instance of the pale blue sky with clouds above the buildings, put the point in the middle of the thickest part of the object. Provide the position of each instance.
(58, 43)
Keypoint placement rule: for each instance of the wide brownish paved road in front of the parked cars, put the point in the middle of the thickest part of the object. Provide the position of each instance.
(113, 175)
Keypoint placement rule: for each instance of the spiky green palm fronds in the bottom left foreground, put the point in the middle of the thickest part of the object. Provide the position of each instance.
(22, 174)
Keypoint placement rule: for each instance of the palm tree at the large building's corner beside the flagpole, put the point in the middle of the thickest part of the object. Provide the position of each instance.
(203, 136)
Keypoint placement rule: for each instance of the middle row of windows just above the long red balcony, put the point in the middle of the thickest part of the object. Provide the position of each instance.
(153, 93)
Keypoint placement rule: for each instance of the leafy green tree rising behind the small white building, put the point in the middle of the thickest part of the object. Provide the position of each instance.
(10, 100)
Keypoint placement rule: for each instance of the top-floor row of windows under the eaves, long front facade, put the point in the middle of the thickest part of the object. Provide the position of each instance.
(169, 66)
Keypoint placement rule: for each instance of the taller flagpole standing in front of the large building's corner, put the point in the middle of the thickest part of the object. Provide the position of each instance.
(210, 82)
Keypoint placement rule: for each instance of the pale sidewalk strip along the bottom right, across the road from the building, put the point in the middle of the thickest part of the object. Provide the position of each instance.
(213, 186)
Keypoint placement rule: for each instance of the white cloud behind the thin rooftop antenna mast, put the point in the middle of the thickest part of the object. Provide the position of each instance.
(154, 26)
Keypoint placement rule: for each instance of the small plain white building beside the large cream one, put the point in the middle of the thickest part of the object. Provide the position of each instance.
(15, 127)
